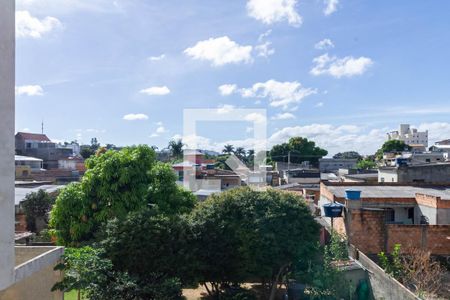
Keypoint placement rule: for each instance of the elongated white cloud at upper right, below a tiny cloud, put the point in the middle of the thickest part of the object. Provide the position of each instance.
(340, 67)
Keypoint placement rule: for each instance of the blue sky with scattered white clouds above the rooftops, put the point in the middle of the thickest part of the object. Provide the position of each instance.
(339, 72)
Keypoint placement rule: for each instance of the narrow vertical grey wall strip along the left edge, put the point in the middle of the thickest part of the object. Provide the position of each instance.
(7, 90)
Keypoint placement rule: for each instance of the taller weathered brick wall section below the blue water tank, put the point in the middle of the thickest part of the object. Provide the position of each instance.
(366, 230)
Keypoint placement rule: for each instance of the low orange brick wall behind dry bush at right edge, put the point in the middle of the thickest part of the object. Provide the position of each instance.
(434, 238)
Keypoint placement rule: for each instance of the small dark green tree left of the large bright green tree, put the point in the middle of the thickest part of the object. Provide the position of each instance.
(36, 207)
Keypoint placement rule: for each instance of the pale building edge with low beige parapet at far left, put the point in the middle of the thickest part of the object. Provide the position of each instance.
(25, 272)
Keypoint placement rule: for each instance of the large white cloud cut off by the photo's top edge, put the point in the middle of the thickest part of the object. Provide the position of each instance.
(272, 11)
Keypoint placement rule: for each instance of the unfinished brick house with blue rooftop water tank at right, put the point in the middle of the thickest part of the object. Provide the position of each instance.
(382, 215)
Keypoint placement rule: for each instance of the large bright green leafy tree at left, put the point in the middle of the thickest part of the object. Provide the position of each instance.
(115, 183)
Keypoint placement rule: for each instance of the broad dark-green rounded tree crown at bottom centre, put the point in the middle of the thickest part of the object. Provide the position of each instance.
(242, 234)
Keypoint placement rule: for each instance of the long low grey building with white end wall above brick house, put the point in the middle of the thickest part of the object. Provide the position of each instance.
(433, 173)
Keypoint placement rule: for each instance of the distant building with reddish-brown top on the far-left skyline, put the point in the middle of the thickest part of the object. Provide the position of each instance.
(40, 146)
